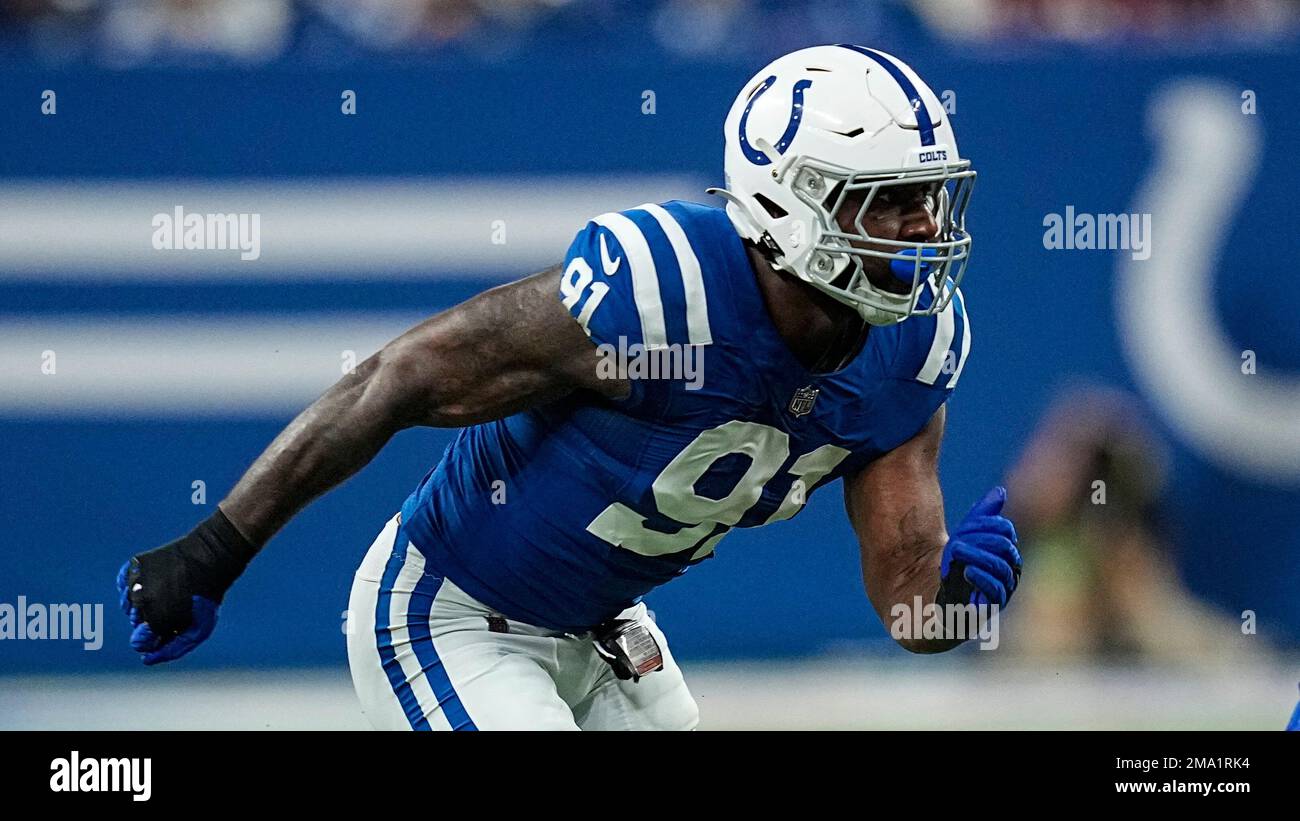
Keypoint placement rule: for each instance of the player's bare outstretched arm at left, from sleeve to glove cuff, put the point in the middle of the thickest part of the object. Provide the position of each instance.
(499, 354)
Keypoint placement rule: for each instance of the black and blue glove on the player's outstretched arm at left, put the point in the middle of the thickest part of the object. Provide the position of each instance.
(171, 594)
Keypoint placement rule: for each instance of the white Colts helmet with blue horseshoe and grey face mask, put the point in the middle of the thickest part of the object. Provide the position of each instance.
(820, 124)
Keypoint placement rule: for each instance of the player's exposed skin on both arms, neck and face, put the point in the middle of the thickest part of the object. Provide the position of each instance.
(515, 347)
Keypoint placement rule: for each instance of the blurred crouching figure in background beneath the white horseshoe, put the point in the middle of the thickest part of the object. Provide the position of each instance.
(1087, 503)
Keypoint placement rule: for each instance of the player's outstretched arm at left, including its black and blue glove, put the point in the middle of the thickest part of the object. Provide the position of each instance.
(501, 353)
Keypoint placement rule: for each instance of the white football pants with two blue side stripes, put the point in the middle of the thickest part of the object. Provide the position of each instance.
(423, 658)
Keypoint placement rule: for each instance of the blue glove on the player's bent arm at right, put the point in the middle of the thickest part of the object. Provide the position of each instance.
(982, 564)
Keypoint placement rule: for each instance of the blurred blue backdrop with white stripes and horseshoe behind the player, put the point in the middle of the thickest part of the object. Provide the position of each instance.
(497, 112)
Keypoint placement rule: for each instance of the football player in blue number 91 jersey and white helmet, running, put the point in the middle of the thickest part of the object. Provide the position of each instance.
(822, 307)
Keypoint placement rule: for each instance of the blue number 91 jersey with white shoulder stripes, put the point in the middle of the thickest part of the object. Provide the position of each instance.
(565, 515)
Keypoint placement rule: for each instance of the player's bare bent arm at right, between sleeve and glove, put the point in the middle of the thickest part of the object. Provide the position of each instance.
(898, 514)
